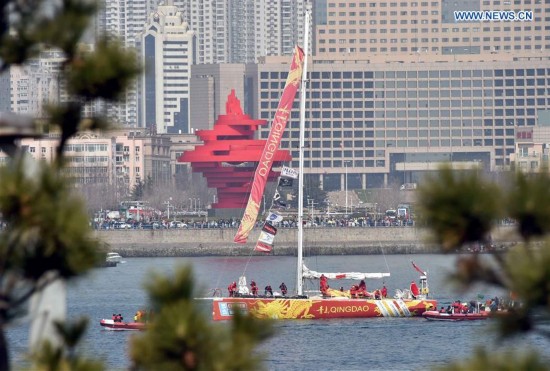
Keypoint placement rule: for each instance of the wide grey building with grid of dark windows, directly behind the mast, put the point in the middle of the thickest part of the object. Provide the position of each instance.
(393, 123)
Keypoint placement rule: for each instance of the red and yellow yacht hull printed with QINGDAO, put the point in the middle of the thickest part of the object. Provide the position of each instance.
(319, 308)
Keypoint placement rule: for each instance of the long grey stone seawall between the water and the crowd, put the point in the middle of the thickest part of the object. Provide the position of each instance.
(318, 240)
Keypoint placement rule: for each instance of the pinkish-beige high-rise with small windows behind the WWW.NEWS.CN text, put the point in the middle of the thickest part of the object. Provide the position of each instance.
(407, 28)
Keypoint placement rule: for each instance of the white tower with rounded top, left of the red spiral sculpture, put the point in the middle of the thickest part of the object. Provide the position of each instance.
(167, 52)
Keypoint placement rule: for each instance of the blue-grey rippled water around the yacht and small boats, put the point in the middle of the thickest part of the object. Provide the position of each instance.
(375, 344)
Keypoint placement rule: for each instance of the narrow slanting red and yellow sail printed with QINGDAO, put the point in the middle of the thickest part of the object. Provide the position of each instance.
(273, 141)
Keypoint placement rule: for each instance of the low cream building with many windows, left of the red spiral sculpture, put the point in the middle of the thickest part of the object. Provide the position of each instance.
(120, 158)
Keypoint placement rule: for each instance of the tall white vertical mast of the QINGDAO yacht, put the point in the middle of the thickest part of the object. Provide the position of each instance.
(299, 278)
